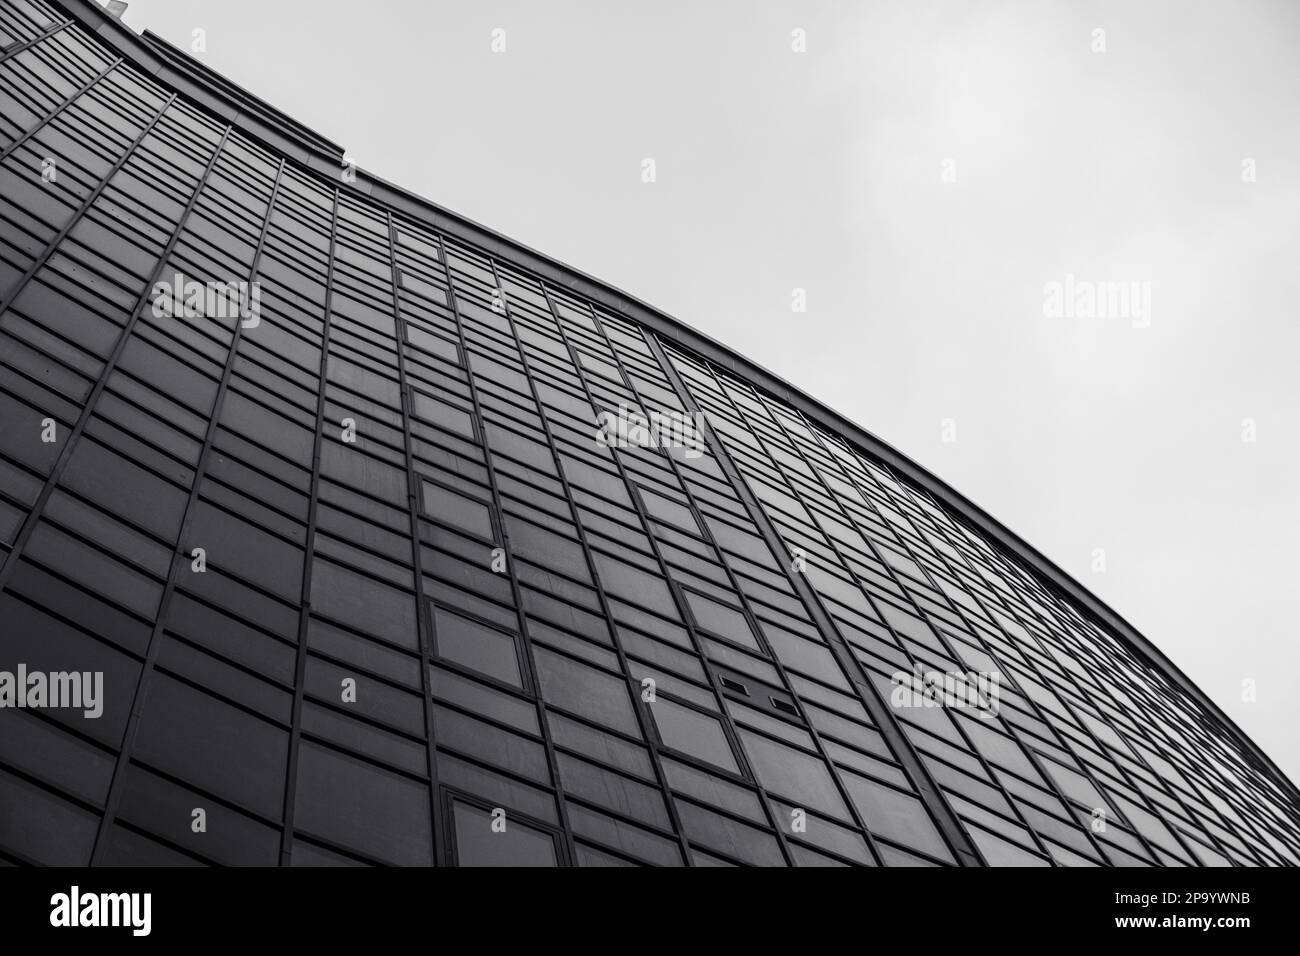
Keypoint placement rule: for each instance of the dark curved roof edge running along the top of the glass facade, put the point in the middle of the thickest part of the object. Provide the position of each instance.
(227, 101)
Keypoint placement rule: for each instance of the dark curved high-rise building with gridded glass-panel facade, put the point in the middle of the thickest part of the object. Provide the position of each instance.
(374, 537)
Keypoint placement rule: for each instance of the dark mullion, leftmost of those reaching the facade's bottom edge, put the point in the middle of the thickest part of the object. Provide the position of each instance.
(179, 556)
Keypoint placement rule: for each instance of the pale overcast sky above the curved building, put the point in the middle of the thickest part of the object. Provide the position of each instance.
(947, 184)
